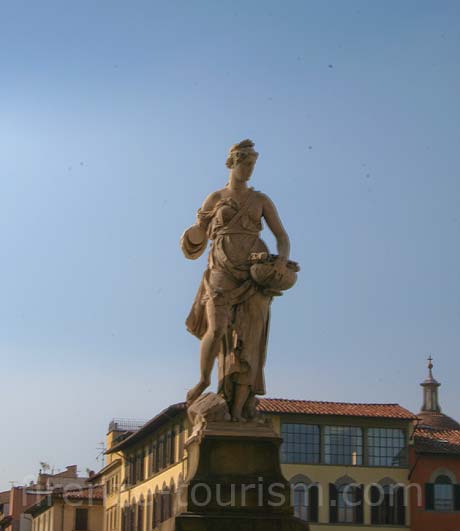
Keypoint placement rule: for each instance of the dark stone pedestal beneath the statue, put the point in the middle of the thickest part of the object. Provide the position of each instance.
(234, 481)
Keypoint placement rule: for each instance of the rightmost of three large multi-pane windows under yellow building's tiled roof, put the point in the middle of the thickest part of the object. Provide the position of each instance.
(386, 447)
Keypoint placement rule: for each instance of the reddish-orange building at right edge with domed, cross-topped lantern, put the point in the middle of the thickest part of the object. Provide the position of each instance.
(435, 464)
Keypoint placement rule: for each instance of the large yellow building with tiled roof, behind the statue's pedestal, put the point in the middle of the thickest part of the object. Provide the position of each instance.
(332, 453)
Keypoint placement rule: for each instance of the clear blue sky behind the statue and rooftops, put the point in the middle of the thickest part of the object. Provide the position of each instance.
(115, 121)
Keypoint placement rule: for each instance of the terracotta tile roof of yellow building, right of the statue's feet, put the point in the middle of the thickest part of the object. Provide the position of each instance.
(307, 407)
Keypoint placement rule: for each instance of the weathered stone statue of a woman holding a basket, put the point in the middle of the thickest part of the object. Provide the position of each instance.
(230, 314)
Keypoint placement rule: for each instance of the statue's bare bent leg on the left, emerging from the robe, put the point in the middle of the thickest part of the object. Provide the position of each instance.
(217, 317)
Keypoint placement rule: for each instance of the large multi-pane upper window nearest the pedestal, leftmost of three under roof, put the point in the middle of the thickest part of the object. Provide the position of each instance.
(301, 443)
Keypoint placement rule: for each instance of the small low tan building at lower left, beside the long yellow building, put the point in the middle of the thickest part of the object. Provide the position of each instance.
(68, 510)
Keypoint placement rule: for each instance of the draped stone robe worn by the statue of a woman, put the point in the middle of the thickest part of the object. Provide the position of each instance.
(234, 230)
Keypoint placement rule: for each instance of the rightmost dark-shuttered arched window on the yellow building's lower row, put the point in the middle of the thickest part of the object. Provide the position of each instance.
(388, 505)
